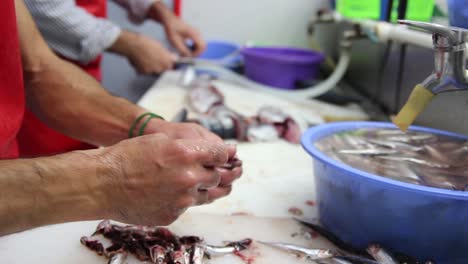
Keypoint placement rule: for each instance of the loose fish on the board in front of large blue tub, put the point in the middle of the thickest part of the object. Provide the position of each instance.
(345, 254)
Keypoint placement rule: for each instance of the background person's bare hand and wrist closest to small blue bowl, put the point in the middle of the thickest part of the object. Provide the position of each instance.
(177, 31)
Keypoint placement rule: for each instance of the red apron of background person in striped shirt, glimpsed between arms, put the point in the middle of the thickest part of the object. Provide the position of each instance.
(37, 139)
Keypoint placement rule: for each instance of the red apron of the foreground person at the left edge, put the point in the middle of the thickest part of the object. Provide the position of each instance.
(11, 82)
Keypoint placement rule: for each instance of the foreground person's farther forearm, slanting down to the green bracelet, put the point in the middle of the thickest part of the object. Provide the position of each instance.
(66, 98)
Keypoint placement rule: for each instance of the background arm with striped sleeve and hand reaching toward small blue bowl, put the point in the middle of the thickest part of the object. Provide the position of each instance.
(177, 31)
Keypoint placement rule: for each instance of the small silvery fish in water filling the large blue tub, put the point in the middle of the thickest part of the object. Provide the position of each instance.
(412, 157)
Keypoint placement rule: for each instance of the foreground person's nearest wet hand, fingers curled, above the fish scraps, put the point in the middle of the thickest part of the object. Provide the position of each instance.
(158, 178)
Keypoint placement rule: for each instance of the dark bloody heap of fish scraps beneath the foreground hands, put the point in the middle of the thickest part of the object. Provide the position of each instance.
(155, 244)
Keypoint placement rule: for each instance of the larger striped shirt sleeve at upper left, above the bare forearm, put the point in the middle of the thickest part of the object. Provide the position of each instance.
(71, 31)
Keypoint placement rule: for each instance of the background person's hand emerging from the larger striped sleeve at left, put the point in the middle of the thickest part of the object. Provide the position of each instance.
(147, 55)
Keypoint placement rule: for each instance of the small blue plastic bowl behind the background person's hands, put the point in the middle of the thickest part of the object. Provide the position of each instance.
(216, 50)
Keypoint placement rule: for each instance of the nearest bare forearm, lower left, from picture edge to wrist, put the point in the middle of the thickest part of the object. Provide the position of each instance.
(37, 192)
